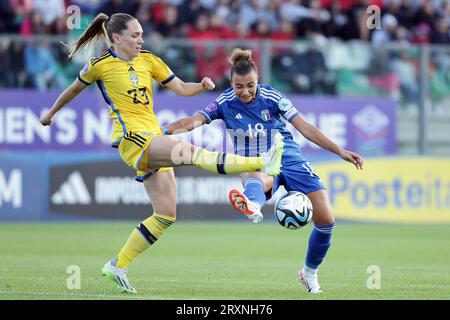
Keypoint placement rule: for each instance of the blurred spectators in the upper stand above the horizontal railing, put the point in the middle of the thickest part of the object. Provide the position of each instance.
(414, 21)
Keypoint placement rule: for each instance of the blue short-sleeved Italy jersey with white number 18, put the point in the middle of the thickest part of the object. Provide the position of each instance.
(252, 125)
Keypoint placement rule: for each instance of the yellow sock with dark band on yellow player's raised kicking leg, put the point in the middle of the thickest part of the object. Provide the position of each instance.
(225, 163)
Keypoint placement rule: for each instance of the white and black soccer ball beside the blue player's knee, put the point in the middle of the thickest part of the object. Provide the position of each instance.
(293, 210)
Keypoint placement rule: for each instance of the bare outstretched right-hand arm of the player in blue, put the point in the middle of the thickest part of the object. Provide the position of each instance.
(313, 134)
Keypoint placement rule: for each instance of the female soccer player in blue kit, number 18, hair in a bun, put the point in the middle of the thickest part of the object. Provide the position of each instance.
(254, 113)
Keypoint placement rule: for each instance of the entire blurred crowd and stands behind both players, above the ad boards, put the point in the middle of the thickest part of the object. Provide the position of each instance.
(331, 49)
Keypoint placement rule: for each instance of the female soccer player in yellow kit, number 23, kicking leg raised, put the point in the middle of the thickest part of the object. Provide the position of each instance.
(124, 76)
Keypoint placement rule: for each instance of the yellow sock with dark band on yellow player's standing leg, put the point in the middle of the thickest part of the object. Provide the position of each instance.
(143, 237)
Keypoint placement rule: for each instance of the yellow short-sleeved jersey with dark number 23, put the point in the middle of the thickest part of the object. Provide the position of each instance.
(126, 87)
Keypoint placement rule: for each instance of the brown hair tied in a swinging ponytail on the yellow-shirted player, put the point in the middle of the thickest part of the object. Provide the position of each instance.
(101, 26)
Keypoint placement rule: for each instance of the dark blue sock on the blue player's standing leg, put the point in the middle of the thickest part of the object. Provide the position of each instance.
(319, 242)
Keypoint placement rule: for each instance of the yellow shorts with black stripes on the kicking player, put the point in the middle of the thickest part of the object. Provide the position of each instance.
(132, 150)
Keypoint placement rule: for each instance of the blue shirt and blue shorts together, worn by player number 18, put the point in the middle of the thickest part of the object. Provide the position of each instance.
(252, 126)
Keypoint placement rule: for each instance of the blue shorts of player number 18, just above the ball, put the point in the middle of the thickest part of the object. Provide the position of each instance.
(296, 175)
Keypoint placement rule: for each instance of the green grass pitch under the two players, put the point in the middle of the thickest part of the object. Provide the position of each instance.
(224, 260)
